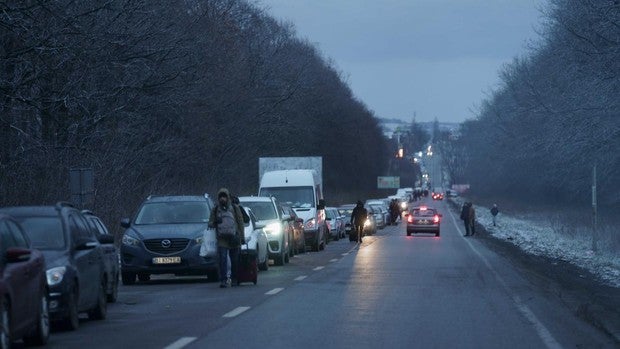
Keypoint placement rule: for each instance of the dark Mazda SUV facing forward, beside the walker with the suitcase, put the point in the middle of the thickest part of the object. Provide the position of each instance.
(165, 238)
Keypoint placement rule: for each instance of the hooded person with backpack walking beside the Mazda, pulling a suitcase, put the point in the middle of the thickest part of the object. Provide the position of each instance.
(227, 220)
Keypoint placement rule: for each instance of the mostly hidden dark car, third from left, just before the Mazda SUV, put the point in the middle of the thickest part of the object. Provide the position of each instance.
(110, 254)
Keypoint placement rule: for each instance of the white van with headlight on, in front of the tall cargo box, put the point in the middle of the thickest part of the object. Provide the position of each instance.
(303, 191)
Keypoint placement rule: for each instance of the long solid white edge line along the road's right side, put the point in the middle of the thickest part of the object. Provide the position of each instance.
(542, 331)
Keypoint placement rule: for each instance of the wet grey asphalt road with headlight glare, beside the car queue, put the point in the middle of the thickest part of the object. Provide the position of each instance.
(393, 291)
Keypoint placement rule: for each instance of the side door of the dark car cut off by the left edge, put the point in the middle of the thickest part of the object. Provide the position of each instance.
(19, 277)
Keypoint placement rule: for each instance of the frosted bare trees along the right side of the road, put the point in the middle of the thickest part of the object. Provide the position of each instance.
(555, 116)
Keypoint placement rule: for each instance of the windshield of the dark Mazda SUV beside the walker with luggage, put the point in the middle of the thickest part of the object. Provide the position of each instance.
(176, 212)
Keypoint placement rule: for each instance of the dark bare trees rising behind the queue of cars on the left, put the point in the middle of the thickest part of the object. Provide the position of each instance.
(169, 97)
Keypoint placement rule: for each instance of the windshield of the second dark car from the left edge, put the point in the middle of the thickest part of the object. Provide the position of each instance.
(45, 233)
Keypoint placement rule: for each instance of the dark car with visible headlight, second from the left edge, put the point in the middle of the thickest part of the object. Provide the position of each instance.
(74, 264)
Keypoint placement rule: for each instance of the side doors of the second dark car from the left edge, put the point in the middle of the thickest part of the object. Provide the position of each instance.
(87, 259)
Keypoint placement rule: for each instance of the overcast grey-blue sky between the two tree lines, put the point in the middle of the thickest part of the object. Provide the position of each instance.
(439, 58)
